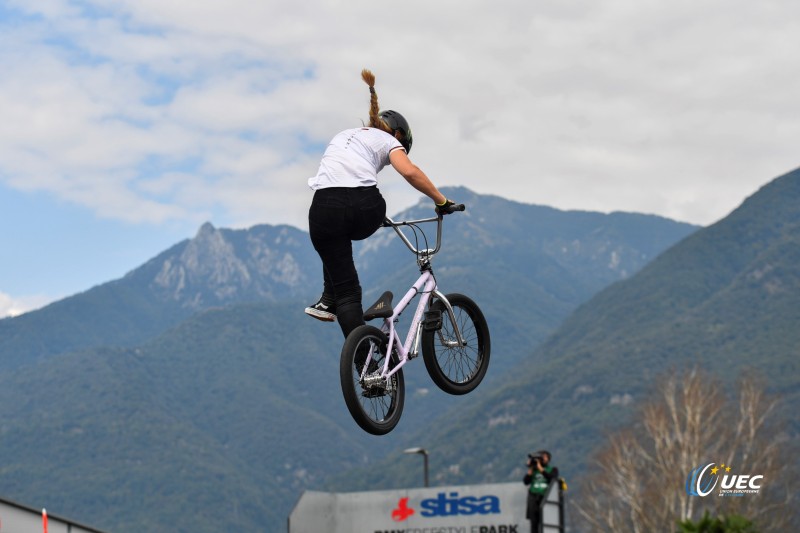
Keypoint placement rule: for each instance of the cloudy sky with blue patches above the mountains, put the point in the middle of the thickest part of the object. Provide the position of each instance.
(127, 124)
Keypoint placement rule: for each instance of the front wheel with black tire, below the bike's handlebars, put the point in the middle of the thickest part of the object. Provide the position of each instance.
(457, 369)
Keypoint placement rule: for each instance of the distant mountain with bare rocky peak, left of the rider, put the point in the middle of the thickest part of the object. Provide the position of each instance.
(217, 267)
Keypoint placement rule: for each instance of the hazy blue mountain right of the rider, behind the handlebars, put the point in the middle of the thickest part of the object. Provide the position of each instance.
(527, 266)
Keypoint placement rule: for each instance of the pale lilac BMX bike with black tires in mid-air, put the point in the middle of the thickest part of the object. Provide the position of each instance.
(450, 329)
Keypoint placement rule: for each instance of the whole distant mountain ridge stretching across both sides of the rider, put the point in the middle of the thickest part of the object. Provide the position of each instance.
(557, 259)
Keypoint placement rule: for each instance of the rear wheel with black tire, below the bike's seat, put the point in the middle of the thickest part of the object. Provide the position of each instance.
(373, 408)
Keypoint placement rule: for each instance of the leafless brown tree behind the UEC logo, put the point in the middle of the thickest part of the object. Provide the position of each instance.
(638, 478)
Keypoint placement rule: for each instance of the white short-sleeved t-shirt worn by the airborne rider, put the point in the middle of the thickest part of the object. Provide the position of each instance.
(353, 159)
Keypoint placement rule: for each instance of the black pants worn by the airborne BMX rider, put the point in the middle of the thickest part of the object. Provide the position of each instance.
(337, 217)
